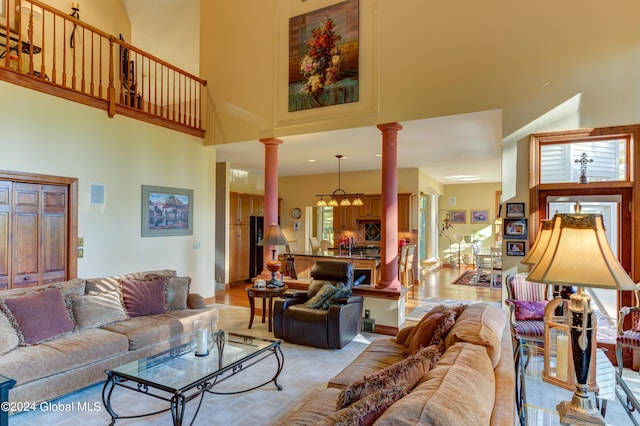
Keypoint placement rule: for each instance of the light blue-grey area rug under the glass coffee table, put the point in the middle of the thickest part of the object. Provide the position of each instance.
(306, 372)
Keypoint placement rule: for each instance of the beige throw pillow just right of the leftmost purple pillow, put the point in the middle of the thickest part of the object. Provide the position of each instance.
(96, 311)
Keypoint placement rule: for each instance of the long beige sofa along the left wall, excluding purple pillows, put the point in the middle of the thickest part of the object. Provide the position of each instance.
(104, 335)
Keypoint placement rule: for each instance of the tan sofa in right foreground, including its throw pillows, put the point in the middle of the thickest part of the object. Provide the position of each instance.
(465, 376)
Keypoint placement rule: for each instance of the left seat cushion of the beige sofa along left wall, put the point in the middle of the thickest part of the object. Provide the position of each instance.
(64, 353)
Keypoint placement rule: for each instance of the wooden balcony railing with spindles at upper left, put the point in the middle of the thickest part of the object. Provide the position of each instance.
(51, 51)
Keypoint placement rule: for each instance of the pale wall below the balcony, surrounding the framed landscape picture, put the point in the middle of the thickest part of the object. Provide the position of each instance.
(45, 134)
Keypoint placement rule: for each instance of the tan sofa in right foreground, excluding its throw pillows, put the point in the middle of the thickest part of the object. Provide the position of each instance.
(472, 383)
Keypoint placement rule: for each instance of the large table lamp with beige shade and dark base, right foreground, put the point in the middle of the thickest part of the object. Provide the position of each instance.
(578, 254)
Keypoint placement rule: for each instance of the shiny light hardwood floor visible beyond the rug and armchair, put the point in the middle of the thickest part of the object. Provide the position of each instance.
(433, 284)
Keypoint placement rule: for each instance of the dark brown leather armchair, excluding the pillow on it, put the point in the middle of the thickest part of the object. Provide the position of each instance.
(330, 329)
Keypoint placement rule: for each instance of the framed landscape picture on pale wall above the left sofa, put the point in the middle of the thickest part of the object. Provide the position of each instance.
(166, 211)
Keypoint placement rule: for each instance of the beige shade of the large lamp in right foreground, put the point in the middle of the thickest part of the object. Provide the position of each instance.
(578, 254)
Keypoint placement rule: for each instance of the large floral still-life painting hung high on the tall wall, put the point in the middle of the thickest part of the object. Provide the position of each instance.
(323, 56)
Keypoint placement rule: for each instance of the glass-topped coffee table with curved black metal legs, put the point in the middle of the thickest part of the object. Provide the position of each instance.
(179, 376)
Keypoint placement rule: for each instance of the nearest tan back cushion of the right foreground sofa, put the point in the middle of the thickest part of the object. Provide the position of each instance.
(458, 390)
